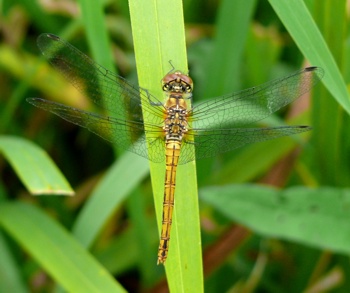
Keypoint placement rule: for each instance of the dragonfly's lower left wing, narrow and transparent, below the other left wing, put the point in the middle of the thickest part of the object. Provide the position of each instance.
(127, 134)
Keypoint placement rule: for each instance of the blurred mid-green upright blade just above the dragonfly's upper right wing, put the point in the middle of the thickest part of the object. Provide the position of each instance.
(228, 45)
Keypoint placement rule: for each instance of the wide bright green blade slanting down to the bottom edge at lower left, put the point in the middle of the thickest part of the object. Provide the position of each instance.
(59, 253)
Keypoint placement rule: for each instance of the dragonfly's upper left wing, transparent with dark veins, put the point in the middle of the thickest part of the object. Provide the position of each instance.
(106, 89)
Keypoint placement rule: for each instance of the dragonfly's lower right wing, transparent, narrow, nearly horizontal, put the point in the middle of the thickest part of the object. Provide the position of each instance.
(208, 143)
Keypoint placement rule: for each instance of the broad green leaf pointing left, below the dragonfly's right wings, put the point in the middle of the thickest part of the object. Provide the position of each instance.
(299, 214)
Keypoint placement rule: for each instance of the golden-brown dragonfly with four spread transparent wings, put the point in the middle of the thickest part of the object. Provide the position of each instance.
(139, 122)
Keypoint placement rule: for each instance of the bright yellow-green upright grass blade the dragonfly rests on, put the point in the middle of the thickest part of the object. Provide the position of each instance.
(158, 32)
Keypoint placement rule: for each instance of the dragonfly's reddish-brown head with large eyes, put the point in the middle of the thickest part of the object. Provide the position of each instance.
(177, 82)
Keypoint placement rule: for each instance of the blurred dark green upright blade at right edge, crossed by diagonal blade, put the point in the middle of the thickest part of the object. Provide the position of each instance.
(329, 147)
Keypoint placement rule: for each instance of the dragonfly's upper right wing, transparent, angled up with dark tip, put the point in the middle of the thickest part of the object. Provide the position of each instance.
(256, 103)
